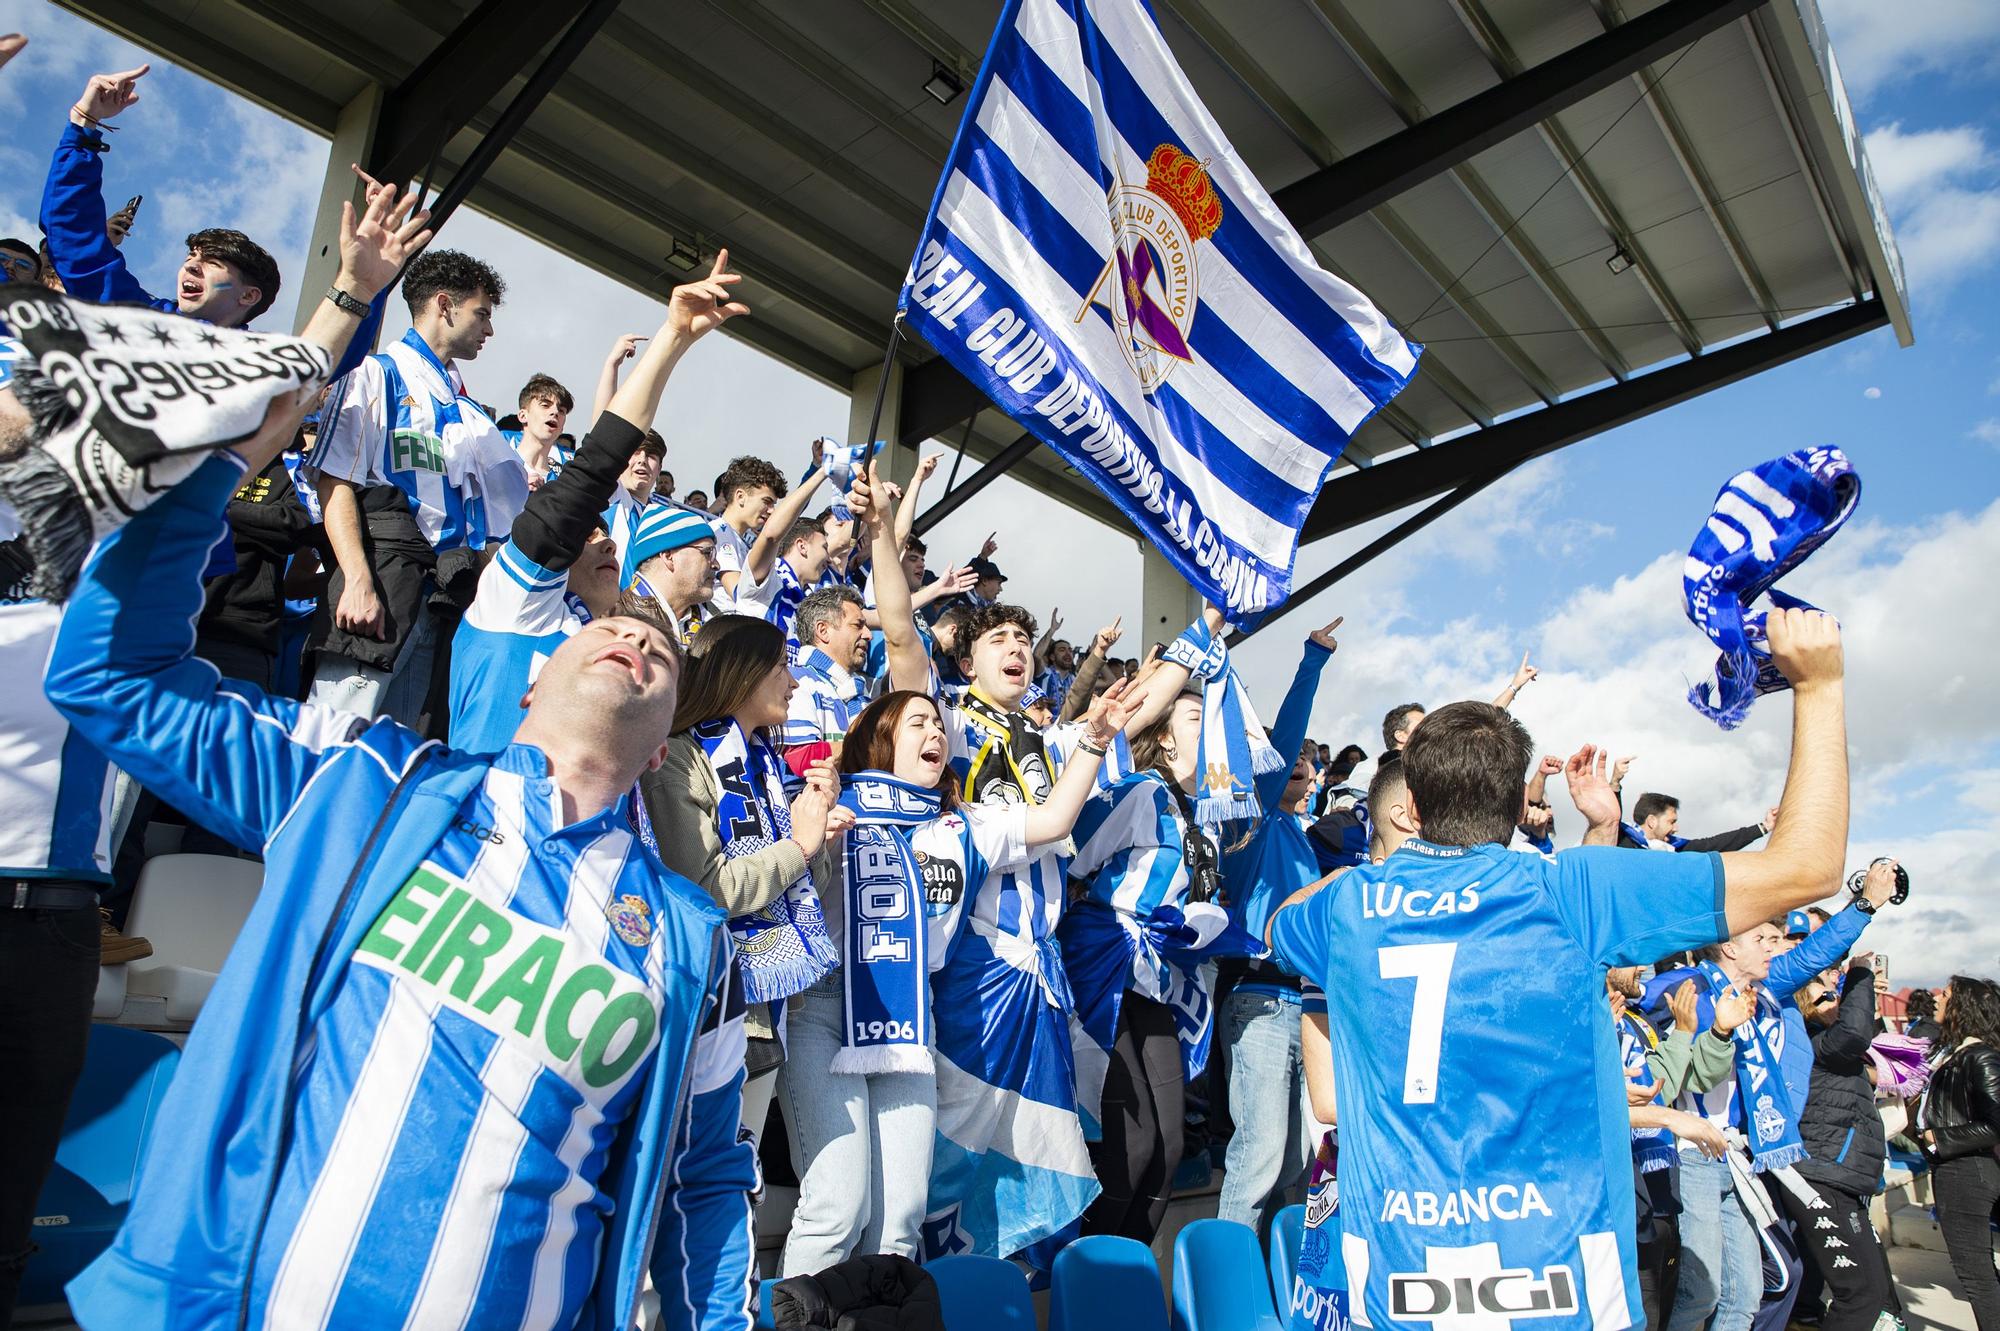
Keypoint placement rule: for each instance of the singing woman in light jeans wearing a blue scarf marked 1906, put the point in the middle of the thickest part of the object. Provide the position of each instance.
(859, 1080)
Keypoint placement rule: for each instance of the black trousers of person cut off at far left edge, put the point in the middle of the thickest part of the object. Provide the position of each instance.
(49, 974)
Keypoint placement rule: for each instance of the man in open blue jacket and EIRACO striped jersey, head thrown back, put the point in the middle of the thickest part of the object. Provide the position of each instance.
(467, 1064)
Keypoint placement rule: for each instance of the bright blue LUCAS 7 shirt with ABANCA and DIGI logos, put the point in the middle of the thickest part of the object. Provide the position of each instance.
(1483, 1118)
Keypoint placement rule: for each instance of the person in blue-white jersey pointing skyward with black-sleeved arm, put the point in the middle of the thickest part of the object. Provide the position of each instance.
(561, 569)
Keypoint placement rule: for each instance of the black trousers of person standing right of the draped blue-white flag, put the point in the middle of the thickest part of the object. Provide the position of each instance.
(1145, 1104)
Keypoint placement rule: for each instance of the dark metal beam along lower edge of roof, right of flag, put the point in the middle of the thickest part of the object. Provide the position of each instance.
(1419, 477)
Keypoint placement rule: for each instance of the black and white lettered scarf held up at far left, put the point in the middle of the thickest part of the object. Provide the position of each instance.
(127, 403)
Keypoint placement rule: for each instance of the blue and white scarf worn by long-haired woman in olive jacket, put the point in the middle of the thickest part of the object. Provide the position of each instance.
(781, 948)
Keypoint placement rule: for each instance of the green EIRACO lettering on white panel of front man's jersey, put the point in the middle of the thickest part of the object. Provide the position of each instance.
(531, 986)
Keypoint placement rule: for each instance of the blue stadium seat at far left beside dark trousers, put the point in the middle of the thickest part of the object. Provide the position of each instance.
(97, 1166)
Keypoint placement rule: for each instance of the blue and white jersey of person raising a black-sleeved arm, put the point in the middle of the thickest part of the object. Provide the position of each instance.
(523, 613)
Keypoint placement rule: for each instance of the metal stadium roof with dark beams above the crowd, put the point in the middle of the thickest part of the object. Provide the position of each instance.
(1585, 209)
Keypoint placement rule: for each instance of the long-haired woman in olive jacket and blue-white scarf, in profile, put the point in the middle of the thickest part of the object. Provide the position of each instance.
(721, 814)
